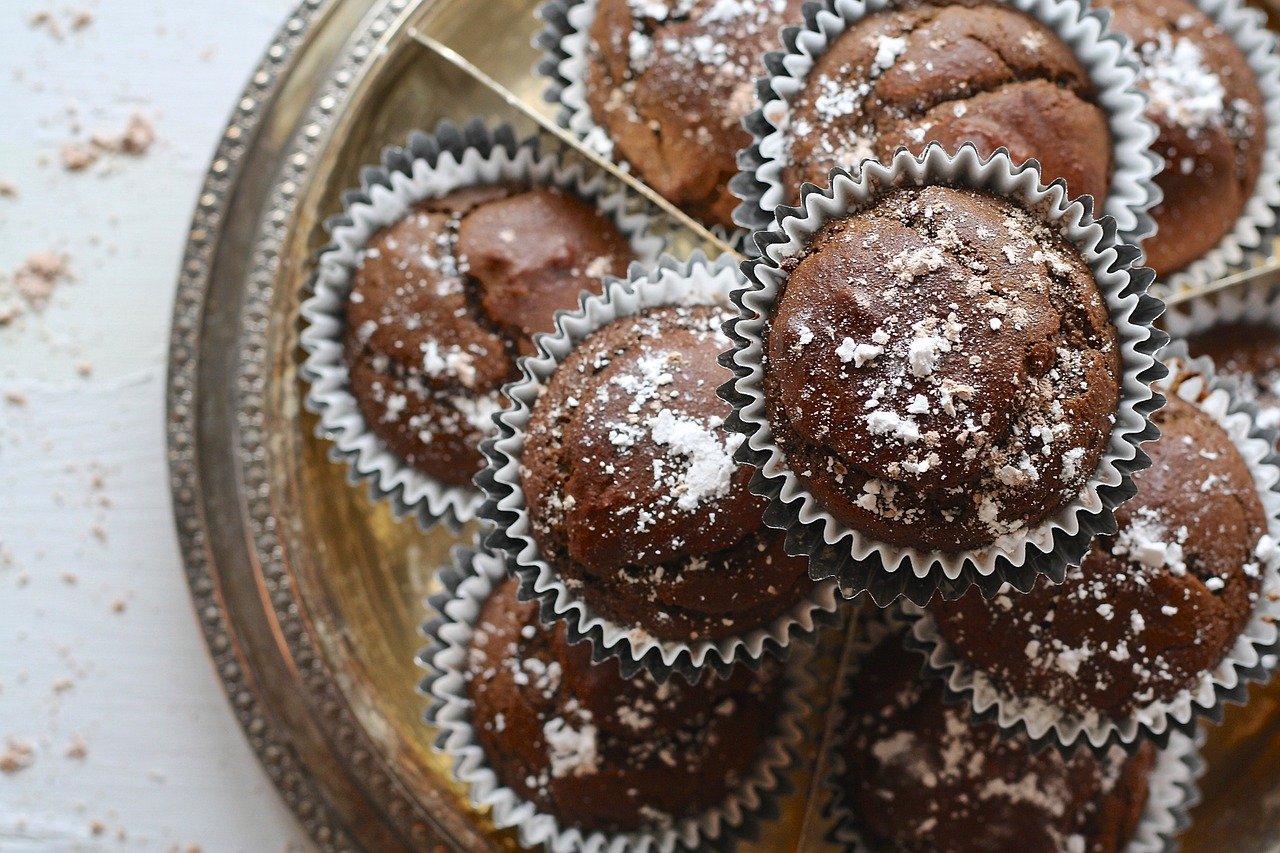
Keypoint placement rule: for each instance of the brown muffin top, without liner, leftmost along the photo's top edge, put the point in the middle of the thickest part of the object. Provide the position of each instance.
(671, 81)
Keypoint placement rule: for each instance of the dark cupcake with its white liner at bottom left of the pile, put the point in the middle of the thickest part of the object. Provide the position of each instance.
(580, 758)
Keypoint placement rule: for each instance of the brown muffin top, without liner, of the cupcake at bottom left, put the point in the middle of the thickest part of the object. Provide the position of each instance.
(600, 752)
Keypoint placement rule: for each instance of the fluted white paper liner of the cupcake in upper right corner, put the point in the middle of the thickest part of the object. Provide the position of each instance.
(1260, 220)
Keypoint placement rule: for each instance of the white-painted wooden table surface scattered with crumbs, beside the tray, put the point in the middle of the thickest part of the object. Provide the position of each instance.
(115, 733)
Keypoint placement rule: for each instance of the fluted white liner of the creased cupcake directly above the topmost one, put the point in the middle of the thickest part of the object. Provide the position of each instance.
(1107, 56)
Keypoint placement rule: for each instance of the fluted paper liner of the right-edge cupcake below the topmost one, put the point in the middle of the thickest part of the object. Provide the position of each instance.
(1046, 724)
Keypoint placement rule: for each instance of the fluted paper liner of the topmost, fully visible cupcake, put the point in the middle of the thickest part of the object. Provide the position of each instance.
(888, 572)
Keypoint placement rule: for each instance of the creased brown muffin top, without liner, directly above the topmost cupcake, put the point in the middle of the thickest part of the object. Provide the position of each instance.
(952, 74)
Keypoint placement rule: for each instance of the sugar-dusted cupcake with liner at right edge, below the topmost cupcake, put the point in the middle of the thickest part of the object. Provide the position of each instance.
(1162, 622)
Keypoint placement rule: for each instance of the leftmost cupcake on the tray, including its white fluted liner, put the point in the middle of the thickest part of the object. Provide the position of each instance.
(442, 268)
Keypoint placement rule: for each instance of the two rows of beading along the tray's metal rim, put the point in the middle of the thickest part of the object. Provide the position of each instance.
(269, 741)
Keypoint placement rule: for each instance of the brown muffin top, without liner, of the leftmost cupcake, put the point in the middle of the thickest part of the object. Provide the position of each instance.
(444, 303)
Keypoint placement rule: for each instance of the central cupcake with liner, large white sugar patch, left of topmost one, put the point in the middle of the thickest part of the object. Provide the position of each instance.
(615, 491)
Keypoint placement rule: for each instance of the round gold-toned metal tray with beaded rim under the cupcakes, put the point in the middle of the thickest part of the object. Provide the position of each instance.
(309, 592)
